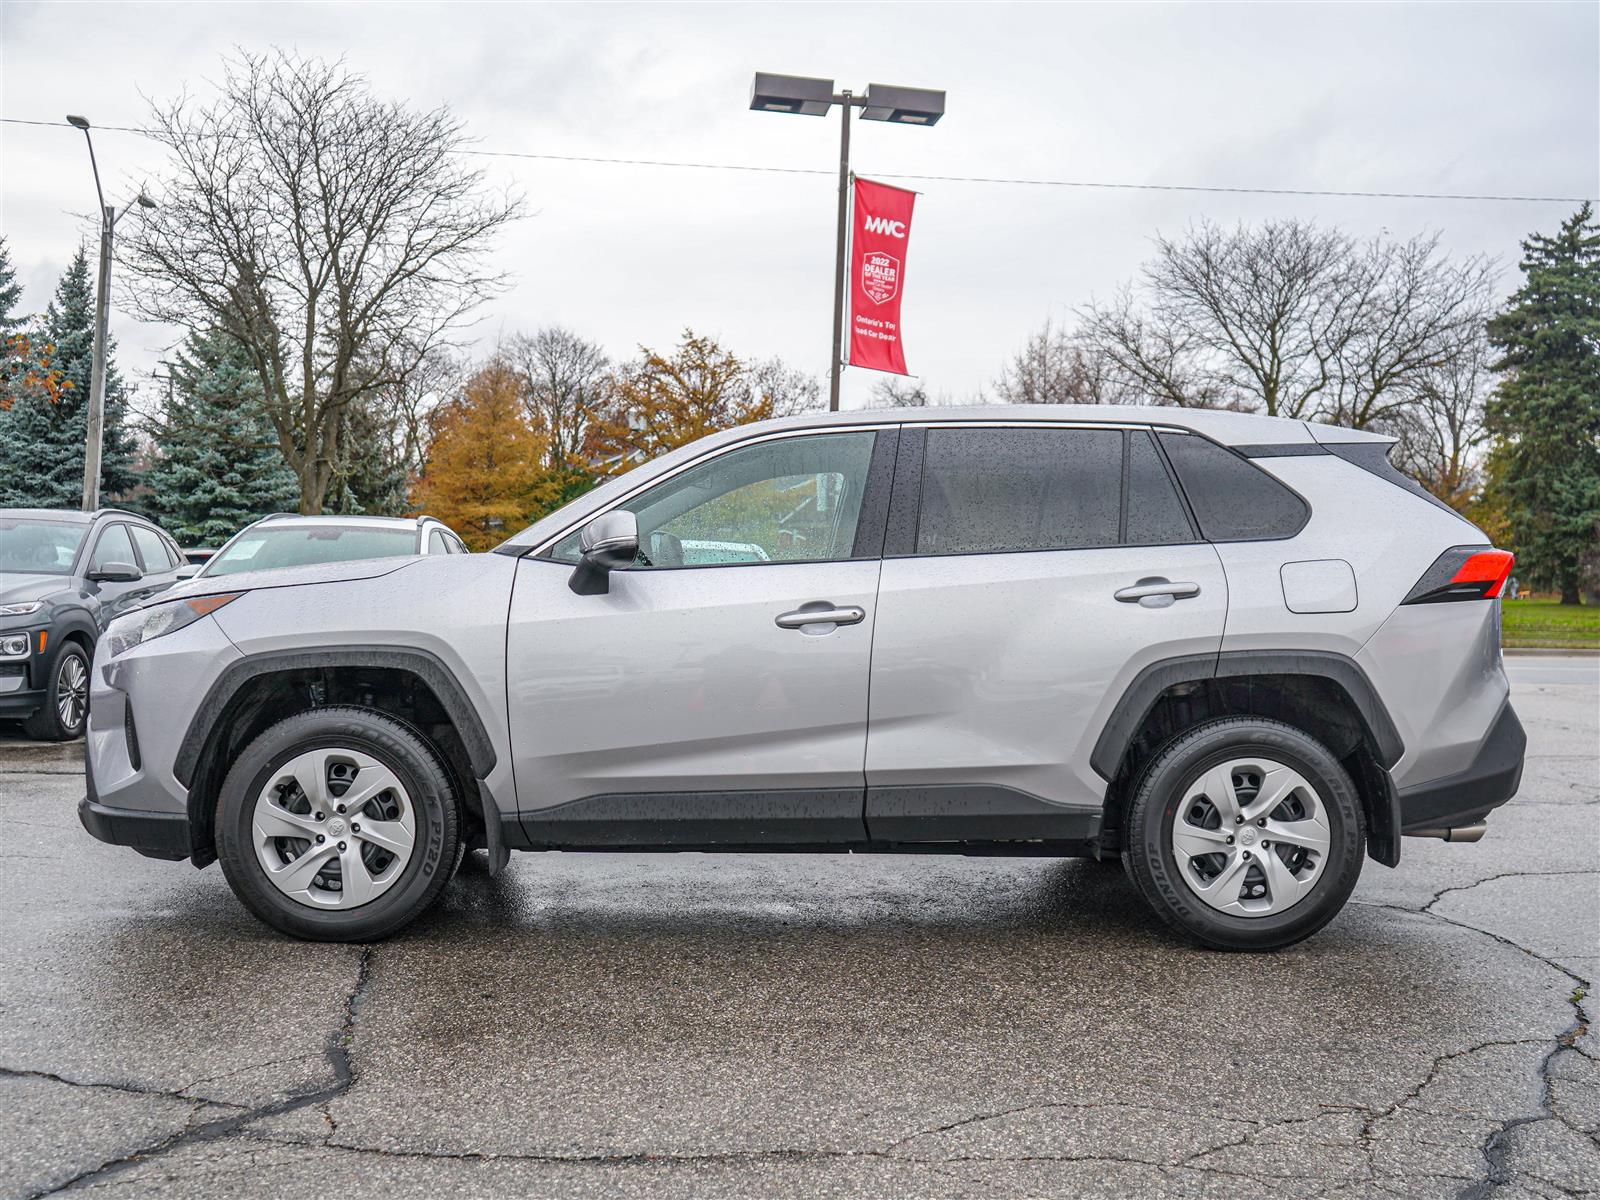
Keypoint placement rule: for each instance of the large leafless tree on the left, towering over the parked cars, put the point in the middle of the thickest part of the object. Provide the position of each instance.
(335, 236)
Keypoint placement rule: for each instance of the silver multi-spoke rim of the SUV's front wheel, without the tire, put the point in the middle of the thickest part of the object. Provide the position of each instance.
(334, 828)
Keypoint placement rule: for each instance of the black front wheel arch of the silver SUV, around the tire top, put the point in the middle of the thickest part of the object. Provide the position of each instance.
(260, 690)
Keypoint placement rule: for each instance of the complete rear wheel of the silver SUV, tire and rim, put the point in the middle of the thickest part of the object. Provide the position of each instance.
(1252, 902)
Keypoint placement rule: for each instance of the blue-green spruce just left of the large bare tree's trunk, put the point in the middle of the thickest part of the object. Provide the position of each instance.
(217, 463)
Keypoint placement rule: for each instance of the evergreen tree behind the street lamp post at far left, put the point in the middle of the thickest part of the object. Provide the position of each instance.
(42, 449)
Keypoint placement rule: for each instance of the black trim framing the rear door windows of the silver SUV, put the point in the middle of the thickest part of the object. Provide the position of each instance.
(906, 510)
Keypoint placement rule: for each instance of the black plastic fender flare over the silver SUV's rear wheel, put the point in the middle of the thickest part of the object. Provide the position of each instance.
(1150, 684)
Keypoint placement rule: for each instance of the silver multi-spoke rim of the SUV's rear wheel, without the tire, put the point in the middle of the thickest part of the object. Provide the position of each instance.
(1250, 838)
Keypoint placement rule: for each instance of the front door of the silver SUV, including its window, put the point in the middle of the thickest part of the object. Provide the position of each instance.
(719, 694)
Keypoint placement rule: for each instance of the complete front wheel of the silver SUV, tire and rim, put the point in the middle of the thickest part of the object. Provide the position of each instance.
(350, 886)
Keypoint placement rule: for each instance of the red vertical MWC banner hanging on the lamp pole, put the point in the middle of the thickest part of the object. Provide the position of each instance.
(881, 233)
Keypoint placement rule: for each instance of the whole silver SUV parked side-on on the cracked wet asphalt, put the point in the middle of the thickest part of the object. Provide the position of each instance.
(1239, 654)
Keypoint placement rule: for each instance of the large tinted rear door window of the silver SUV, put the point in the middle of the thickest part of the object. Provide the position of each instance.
(1004, 490)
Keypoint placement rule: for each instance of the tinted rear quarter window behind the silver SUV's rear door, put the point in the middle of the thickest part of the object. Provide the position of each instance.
(1233, 500)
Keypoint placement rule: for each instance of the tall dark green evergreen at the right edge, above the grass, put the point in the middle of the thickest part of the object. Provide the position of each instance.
(1546, 409)
